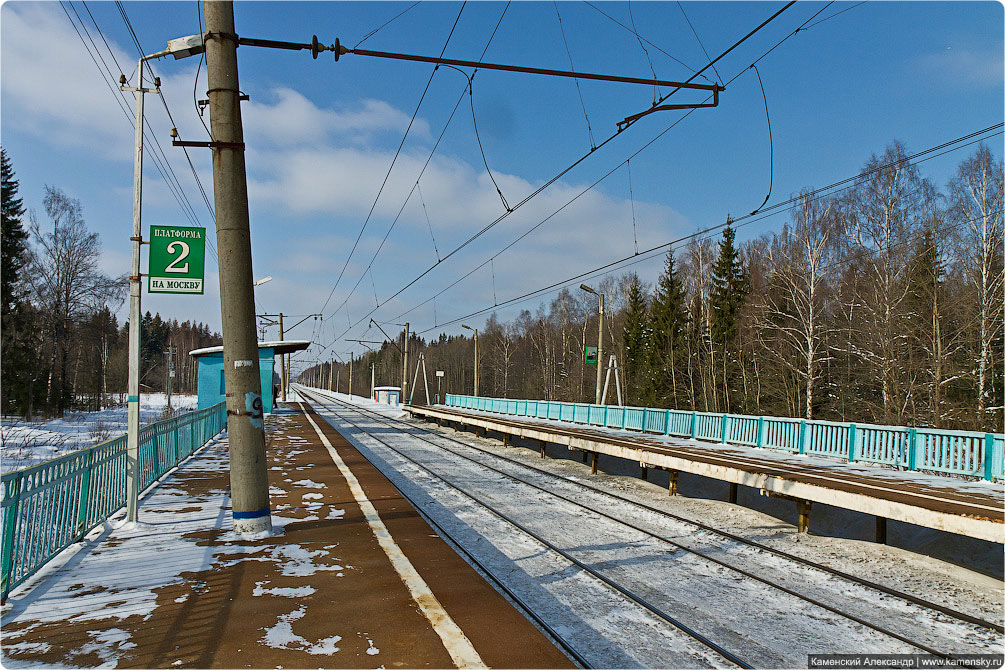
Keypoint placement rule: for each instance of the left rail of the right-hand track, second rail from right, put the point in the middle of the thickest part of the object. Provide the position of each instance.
(745, 573)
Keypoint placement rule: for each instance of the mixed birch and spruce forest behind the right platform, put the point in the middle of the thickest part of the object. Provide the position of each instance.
(884, 304)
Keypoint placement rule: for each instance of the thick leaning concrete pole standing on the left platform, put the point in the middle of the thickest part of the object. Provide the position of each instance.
(246, 418)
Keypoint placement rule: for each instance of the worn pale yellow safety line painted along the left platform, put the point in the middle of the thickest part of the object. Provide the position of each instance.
(457, 643)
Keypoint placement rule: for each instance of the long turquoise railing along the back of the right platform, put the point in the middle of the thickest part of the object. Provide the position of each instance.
(949, 452)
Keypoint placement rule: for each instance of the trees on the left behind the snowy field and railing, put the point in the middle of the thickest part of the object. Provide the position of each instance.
(63, 347)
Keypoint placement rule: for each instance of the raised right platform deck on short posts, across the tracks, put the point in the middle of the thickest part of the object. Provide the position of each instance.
(972, 509)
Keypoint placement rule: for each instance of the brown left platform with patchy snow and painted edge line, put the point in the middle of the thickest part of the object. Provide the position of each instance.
(353, 577)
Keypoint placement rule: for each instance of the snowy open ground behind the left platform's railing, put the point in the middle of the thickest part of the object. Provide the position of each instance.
(24, 444)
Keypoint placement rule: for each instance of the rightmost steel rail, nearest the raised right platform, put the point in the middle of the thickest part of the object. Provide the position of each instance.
(956, 614)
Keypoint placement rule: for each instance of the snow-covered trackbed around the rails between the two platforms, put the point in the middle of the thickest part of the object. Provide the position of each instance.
(769, 627)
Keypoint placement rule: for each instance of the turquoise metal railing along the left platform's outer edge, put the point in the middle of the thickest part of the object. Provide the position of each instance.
(49, 507)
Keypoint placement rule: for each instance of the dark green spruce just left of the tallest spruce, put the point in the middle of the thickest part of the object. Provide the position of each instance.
(670, 327)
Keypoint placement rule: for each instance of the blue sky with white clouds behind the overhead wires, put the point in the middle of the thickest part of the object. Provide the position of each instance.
(322, 135)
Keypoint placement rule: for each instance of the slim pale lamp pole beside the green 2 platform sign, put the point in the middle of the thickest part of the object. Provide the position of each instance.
(135, 290)
